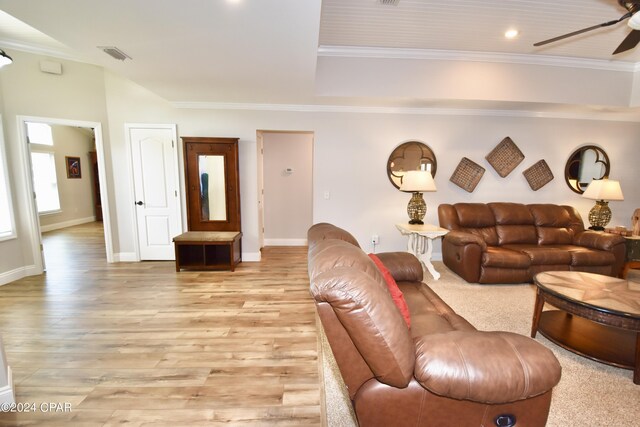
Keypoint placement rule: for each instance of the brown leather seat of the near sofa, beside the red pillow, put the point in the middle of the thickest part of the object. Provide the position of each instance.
(429, 313)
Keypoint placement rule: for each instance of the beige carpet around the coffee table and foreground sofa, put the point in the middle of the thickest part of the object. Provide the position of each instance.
(589, 393)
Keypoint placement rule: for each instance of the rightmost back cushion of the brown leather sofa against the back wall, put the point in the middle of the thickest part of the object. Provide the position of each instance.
(554, 224)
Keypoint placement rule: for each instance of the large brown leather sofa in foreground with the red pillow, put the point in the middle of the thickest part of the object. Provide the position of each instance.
(439, 372)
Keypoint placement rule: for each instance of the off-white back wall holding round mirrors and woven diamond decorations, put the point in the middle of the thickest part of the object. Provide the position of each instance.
(351, 150)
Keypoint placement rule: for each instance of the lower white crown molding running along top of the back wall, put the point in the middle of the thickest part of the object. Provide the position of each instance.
(609, 116)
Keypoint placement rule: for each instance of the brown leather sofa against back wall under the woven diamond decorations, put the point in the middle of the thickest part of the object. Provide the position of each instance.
(511, 242)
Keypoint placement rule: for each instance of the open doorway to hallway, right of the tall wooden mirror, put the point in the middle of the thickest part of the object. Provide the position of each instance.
(285, 184)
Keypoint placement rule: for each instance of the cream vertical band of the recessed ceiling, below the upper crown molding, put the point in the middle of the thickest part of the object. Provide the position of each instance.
(558, 82)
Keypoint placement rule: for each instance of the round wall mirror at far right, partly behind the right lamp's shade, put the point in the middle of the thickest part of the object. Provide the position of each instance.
(584, 165)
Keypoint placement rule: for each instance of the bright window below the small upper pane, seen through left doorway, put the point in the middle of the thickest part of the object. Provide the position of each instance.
(45, 182)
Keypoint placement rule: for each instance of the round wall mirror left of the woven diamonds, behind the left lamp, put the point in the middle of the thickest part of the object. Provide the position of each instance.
(410, 155)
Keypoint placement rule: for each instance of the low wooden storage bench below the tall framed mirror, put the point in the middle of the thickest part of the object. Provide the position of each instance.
(208, 250)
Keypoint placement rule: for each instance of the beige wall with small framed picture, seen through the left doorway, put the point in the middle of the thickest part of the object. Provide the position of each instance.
(76, 195)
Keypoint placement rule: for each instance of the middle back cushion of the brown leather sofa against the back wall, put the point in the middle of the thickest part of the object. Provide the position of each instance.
(514, 223)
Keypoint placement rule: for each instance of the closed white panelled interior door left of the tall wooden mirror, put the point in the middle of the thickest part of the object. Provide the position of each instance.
(154, 155)
